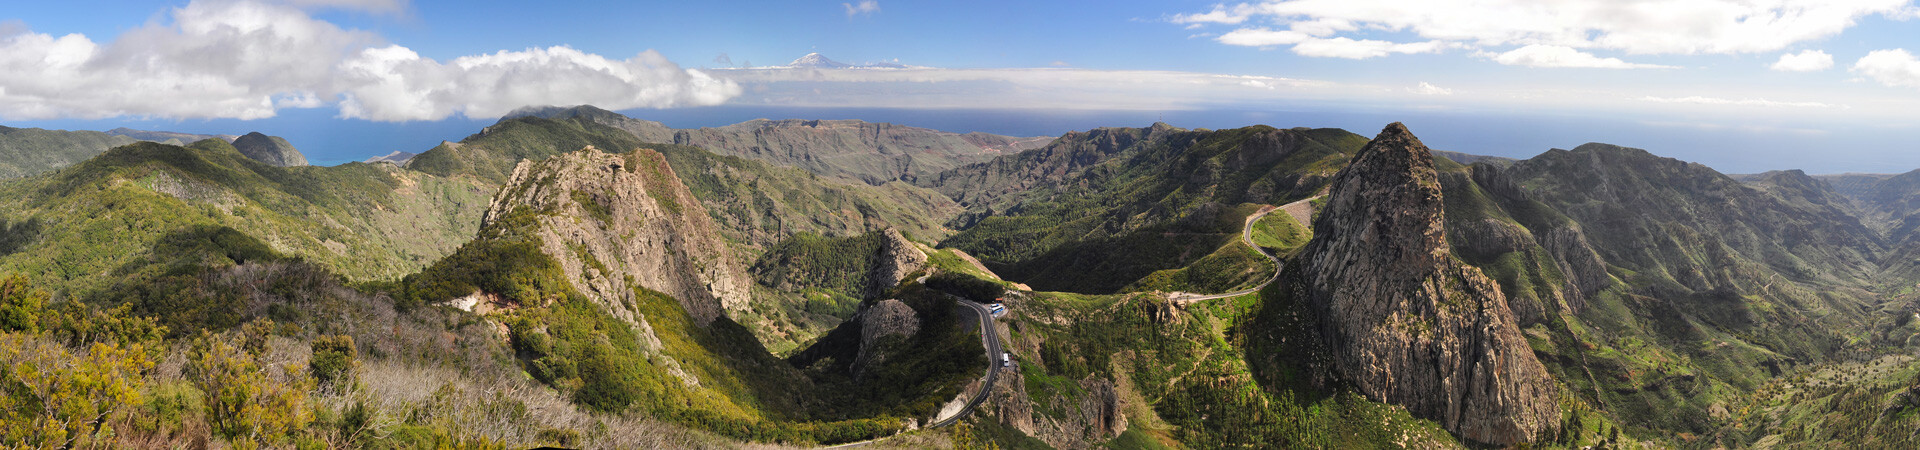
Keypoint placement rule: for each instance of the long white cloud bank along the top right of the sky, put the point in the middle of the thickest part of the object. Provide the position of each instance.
(1499, 26)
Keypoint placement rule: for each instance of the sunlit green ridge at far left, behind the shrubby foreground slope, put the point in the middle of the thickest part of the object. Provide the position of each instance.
(80, 226)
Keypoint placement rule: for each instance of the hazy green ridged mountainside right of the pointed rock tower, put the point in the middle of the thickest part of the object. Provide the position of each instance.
(1662, 291)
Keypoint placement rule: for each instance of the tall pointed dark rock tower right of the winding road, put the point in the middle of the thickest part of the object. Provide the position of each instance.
(1403, 318)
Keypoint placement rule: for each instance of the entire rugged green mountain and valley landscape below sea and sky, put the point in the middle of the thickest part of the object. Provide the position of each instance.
(579, 278)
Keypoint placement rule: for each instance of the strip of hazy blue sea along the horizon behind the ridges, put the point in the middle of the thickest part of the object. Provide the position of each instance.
(1831, 149)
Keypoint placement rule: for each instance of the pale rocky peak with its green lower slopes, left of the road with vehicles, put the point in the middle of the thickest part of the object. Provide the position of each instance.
(617, 289)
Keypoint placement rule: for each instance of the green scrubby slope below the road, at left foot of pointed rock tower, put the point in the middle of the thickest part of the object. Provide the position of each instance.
(1199, 372)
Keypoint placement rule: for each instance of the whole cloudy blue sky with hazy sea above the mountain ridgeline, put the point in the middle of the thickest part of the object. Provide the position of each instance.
(1740, 86)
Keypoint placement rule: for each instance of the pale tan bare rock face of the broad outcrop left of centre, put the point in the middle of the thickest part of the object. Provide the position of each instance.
(627, 218)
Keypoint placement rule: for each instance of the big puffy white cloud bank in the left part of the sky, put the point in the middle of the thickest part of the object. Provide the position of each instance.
(247, 61)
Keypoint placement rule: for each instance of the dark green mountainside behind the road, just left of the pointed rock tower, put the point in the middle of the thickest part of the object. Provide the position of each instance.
(1163, 201)
